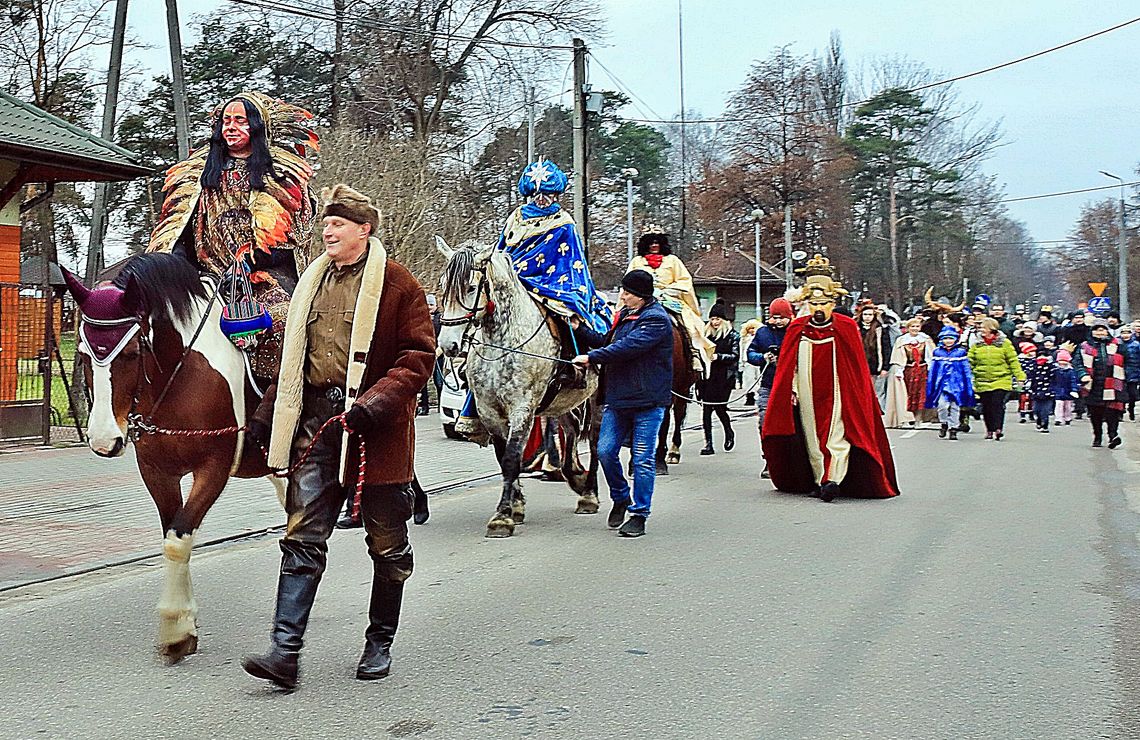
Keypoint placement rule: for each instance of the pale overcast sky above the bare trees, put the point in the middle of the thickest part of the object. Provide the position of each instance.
(1065, 116)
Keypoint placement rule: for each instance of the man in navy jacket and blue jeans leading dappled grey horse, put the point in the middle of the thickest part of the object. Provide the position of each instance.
(637, 356)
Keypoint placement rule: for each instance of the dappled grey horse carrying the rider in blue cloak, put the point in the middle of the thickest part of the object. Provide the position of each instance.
(512, 362)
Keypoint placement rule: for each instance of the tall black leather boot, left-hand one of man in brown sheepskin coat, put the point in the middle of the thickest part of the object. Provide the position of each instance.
(296, 593)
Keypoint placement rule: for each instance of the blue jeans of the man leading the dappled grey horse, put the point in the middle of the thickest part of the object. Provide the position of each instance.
(617, 425)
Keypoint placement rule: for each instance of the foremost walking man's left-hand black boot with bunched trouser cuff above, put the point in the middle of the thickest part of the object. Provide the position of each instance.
(303, 566)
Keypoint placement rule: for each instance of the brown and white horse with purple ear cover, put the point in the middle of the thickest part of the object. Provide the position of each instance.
(164, 376)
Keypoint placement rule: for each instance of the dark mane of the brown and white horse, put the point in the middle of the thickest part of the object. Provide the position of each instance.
(162, 282)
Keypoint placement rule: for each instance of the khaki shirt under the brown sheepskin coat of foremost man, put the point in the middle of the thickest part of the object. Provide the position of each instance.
(330, 326)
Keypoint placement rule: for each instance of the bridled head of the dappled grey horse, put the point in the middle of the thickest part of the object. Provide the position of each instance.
(467, 290)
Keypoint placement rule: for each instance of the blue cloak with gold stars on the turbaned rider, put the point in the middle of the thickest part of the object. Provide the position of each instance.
(548, 256)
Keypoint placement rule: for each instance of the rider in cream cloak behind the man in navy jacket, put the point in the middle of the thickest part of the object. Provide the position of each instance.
(675, 290)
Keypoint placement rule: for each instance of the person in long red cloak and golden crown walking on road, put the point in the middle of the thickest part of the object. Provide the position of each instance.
(824, 433)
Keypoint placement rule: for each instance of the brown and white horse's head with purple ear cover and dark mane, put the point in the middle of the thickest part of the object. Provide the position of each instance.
(116, 336)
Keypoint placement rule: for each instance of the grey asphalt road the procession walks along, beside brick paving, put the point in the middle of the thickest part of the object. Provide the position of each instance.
(996, 599)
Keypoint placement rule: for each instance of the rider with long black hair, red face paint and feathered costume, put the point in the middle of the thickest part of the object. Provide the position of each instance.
(242, 209)
